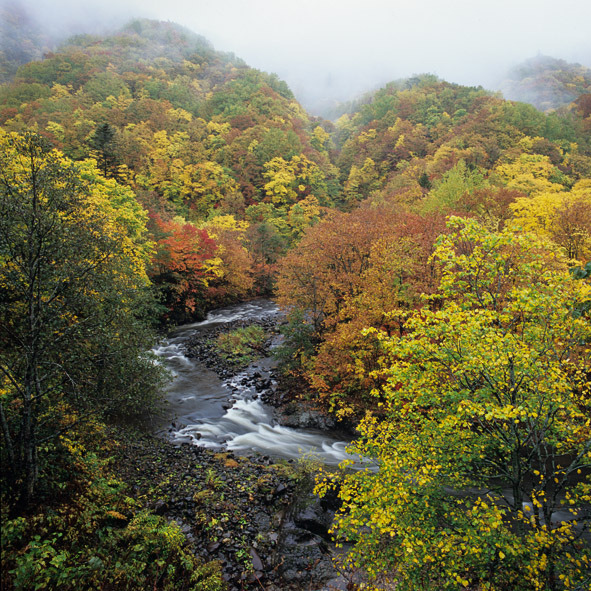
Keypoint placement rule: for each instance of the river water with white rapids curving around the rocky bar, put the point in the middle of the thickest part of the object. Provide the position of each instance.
(200, 411)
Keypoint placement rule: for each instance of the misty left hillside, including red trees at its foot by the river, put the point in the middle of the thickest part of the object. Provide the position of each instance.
(197, 134)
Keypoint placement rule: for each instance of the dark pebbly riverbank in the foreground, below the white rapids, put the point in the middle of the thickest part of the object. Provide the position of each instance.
(256, 517)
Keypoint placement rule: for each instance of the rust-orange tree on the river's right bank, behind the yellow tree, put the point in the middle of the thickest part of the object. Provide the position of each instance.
(351, 271)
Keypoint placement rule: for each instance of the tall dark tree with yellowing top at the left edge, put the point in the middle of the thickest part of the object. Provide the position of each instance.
(73, 288)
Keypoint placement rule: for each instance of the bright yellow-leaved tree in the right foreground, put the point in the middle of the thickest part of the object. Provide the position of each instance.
(483, 456)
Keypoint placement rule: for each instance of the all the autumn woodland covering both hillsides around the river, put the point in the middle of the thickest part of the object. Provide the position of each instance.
(432, 251)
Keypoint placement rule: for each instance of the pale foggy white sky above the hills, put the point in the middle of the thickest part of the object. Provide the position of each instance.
(333, 49)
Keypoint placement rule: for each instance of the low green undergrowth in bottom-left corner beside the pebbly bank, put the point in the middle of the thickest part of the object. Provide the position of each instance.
(99, 538)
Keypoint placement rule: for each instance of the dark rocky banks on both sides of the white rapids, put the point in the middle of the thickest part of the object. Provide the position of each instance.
(257, 516)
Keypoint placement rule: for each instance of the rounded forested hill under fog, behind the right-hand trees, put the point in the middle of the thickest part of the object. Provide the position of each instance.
(410, 134)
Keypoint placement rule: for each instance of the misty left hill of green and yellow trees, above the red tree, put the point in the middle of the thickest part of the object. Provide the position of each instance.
(162, 110)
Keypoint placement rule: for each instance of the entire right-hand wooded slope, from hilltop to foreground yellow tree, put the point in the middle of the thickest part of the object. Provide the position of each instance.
(448, 311)
